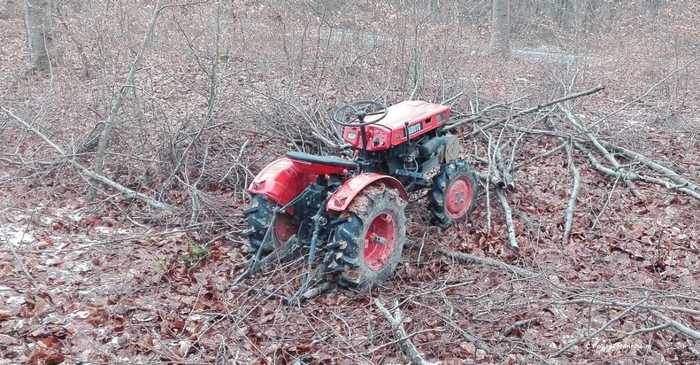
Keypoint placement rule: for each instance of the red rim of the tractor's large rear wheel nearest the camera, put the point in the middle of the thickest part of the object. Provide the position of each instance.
(380, 241)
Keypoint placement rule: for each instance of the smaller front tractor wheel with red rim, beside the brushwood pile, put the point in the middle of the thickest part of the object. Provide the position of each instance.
(453, 195)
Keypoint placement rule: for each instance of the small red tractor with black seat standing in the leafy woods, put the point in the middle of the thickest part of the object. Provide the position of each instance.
(350, 213)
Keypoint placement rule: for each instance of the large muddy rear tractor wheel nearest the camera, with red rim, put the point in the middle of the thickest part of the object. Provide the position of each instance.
(368, 245)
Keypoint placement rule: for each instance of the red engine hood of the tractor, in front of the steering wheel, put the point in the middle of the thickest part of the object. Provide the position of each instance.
(390, 131)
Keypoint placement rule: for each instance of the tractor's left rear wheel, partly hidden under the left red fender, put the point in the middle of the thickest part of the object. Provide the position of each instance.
(259, 216)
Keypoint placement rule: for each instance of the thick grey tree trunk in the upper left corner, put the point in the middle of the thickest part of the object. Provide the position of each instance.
(37, 16)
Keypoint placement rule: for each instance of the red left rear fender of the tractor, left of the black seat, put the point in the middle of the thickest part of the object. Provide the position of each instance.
(281, 181)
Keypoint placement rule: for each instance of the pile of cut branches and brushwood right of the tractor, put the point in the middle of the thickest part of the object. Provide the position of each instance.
(500, 130)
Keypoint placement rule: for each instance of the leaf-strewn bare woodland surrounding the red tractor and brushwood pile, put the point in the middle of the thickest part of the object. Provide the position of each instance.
(184, 102)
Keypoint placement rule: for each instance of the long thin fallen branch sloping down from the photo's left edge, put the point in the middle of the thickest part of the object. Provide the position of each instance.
(131, 194)
